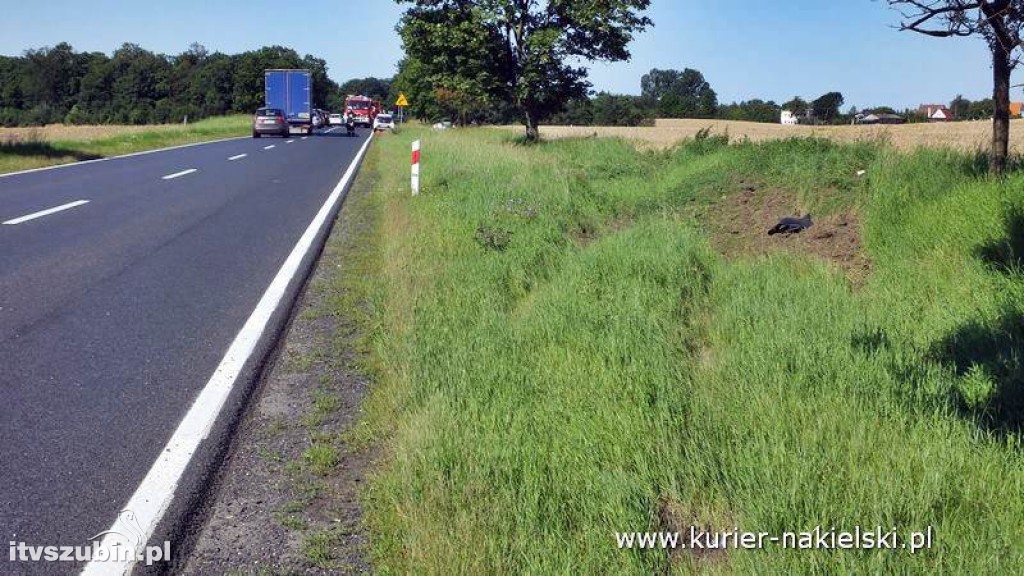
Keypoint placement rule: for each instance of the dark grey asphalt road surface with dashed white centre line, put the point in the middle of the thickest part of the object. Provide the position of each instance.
(116, 310)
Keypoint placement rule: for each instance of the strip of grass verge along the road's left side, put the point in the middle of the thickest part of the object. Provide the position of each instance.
(34, 151)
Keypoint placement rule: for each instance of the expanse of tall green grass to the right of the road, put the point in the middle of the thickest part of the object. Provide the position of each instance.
(561, 355)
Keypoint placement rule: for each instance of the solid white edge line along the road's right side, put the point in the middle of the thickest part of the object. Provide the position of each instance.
(153, 498)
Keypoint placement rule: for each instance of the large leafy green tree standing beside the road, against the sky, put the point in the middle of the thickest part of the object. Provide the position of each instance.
(520, 53)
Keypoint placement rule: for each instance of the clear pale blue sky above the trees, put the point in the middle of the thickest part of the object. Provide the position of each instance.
(746, 49)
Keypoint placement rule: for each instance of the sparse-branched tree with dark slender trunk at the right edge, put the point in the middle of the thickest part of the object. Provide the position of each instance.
(1000, 23)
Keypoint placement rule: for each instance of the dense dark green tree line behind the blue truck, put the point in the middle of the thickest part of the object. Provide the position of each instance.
(138, 87)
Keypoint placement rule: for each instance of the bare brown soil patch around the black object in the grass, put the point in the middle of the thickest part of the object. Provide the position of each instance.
(741, 223)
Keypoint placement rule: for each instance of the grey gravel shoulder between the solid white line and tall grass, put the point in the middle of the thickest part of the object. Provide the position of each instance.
(288, 499)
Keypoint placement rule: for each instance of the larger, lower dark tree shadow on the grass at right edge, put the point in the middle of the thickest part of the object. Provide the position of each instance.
(989, 359)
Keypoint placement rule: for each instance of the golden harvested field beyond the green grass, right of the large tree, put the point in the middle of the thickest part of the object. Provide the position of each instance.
(966, 137)
